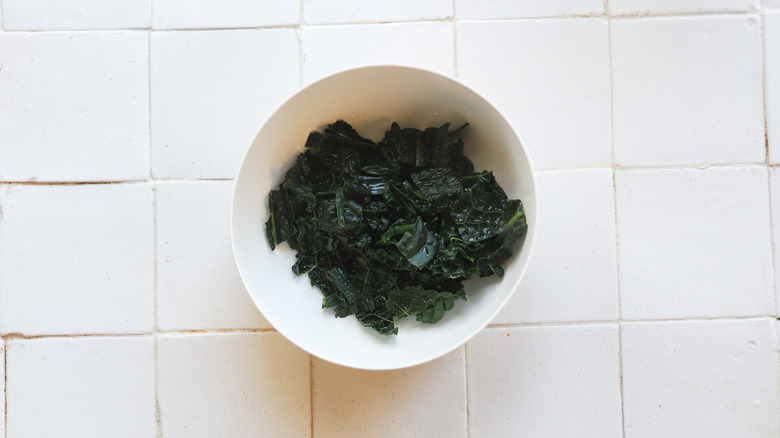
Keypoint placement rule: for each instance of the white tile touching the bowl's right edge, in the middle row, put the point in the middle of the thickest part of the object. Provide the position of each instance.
(566, 282)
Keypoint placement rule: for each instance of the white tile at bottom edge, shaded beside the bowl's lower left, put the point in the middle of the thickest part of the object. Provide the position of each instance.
(246, 384)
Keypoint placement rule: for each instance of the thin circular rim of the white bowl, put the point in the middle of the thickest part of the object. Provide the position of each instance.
(529, 244)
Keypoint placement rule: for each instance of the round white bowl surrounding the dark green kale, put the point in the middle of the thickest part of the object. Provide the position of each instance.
(370, 98)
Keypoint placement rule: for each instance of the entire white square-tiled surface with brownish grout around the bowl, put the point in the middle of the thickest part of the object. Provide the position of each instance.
(652, 123)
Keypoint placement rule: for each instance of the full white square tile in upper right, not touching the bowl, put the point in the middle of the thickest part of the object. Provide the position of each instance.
(687, 90)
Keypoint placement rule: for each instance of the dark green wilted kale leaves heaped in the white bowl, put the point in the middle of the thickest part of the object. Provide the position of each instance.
(391, 229)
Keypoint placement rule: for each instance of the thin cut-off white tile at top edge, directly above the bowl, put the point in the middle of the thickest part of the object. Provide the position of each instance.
(347, 11)
